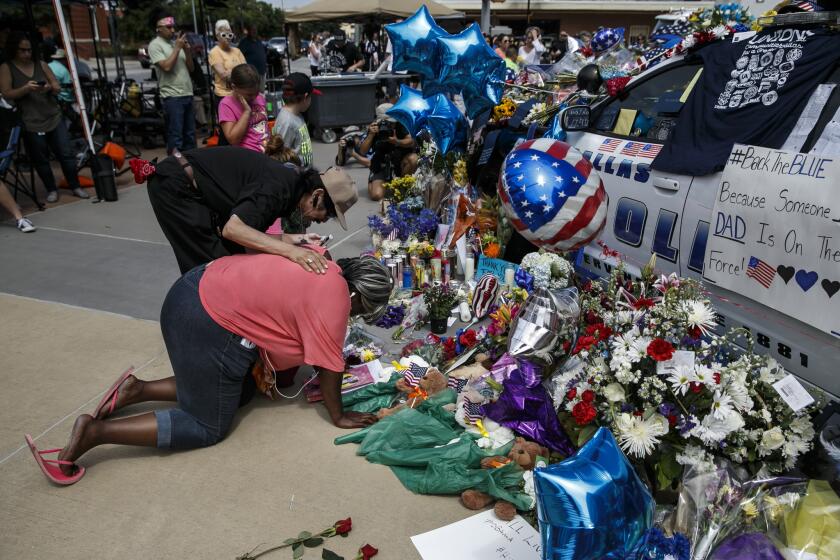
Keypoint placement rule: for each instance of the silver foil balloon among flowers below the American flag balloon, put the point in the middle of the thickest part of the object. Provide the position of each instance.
(544, 320)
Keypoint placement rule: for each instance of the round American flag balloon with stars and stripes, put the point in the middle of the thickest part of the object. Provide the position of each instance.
(552, 195)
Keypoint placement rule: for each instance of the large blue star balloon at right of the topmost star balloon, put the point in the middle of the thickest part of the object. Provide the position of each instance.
(469, 65)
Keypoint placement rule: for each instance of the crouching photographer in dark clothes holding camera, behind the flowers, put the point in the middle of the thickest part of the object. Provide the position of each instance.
(394, 152)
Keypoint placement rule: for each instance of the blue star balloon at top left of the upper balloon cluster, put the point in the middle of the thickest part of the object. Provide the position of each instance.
(414, 45)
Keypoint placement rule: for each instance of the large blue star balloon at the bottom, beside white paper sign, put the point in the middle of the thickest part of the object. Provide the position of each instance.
(592, 505)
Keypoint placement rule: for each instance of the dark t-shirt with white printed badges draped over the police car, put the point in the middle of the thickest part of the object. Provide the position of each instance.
(751, 91)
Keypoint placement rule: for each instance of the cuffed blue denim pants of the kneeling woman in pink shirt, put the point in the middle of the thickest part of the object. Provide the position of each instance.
(210, 365)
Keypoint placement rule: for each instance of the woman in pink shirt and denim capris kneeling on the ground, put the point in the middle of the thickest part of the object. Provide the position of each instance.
(217, 320)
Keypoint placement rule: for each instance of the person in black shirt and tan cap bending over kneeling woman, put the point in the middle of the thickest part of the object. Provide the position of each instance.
(213, 202)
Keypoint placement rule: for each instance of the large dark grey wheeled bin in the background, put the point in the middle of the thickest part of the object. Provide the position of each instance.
(344, 101)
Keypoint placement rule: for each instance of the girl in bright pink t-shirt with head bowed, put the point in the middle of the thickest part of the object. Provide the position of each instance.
(242, 116)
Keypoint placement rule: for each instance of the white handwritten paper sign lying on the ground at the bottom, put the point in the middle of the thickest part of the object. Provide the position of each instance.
(481, 537)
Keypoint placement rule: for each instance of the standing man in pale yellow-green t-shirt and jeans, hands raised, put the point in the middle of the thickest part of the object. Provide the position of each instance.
(174, 63)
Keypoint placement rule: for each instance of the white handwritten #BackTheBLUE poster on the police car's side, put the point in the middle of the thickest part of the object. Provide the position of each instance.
(775, 233)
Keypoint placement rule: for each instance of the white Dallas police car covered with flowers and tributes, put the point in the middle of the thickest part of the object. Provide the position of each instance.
(669, 215)
